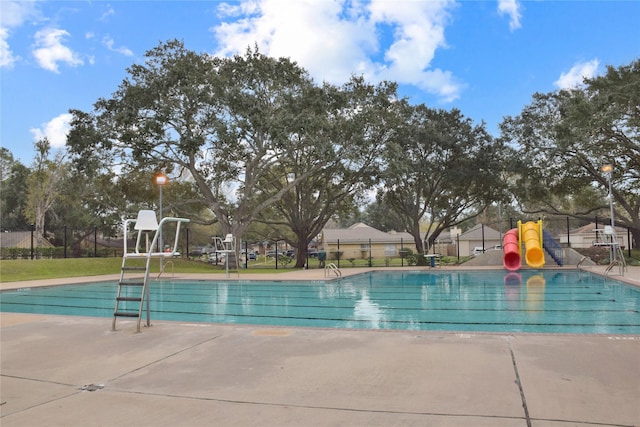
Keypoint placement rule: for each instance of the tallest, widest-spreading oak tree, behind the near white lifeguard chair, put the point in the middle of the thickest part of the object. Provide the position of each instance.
(223, 124)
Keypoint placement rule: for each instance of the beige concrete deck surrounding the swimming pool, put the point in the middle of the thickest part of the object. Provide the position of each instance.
(74, 371)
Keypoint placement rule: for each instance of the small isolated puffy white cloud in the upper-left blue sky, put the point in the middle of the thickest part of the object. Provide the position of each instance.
(49, 50)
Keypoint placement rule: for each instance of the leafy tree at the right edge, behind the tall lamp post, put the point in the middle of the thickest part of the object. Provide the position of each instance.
(563, 139)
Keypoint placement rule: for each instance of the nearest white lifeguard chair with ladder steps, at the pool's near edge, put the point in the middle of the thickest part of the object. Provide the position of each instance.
(133, 292)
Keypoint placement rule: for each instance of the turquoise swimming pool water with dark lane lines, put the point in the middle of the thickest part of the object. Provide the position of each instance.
(492, 301)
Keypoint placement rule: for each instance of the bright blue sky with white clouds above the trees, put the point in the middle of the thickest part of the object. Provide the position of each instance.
(486, 58)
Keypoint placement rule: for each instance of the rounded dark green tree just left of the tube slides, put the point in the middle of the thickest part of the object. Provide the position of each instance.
(441, 170)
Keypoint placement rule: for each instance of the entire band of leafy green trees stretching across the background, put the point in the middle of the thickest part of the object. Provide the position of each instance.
(252, 138)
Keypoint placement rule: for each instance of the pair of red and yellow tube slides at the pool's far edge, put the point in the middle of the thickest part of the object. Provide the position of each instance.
(531, 235)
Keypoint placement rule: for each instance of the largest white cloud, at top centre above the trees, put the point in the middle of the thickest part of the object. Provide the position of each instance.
(334, 39)
